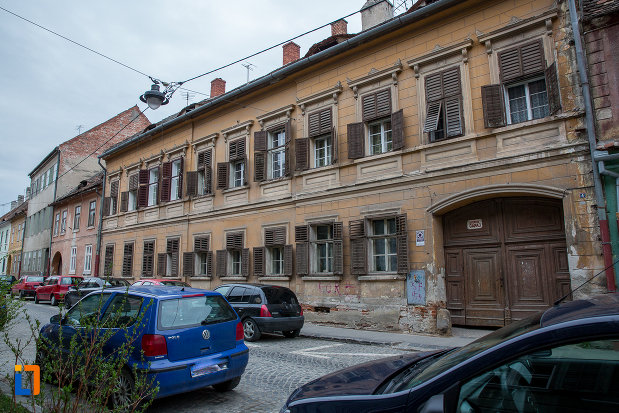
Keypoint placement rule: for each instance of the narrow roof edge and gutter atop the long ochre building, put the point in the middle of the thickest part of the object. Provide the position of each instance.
(283, 72)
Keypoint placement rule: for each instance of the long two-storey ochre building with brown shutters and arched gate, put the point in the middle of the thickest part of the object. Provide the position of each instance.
(429, 169)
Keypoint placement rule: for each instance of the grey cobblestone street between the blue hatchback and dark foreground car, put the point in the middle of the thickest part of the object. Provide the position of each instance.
(276, 367)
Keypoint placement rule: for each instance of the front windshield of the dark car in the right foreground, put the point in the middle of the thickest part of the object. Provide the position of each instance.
(425, 370)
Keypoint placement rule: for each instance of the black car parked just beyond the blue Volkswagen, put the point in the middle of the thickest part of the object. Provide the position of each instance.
(264, 309)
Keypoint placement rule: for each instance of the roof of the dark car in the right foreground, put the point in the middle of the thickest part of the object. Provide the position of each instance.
(597, 306)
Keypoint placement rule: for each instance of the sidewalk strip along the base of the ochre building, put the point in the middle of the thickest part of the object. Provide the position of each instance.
(403, 341)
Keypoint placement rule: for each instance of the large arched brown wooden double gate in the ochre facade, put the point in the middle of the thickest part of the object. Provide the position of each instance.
(505, 259)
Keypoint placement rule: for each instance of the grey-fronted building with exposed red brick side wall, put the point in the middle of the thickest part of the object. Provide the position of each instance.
(61, 171)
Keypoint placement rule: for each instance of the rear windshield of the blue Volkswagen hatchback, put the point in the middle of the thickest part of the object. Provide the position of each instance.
(193, 311)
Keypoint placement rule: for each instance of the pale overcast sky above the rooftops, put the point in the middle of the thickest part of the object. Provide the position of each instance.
(51, 86)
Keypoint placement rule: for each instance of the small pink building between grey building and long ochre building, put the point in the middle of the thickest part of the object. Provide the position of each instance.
(73, 251)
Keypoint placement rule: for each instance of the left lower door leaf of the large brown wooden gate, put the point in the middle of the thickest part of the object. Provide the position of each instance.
(485, 301)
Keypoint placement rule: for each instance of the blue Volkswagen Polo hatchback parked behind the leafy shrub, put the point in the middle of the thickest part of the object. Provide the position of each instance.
(191, 338)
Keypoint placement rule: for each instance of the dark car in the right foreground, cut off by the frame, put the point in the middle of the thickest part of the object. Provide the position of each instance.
(563, 359)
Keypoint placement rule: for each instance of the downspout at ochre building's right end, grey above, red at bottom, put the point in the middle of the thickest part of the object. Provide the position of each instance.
(597, 183)
